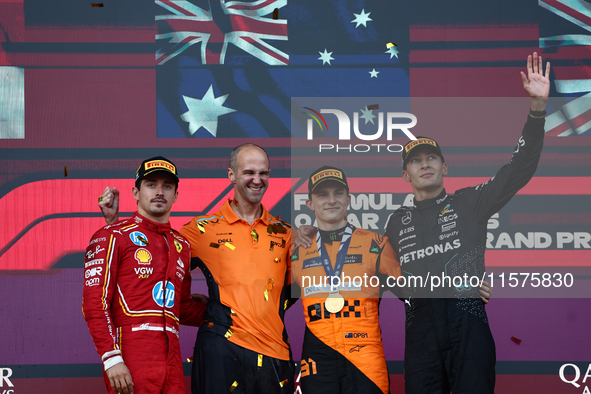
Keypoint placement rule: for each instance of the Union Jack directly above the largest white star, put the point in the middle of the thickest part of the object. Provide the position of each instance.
(242, 24)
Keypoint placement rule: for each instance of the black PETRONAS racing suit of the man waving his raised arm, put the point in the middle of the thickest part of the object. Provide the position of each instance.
(448, 345)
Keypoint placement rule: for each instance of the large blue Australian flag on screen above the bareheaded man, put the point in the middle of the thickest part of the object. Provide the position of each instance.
(228, 69)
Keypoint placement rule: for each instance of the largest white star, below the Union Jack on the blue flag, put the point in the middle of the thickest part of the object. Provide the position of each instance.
(205, 112)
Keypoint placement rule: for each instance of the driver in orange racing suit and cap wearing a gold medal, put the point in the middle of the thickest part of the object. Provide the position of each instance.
(342, 351)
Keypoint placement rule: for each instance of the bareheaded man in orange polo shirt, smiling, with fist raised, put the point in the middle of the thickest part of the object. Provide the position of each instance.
(243, 251)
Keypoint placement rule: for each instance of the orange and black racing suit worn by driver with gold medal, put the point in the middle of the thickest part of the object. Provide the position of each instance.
(343, 352)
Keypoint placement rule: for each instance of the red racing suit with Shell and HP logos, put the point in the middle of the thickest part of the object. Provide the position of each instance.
(137, 286)
